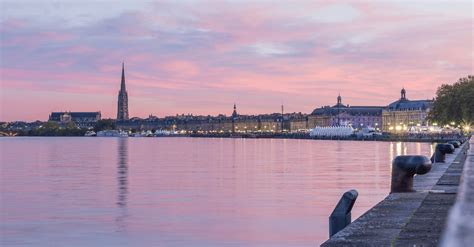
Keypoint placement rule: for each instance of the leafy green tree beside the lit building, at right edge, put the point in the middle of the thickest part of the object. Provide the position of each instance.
(454, 103)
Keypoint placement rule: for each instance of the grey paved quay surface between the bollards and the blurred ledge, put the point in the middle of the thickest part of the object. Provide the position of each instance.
(409, 219)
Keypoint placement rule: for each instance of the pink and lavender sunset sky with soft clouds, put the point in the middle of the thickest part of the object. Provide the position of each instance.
(201, 57)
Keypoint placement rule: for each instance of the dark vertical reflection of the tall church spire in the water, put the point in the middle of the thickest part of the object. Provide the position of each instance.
(122, 182)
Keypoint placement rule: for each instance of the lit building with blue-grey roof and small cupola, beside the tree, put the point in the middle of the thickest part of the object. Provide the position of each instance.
(404, 114)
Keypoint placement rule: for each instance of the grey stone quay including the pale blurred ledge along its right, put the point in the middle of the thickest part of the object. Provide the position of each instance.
(421, 218)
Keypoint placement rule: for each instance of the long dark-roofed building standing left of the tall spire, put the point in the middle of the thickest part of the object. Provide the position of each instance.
(81, 119)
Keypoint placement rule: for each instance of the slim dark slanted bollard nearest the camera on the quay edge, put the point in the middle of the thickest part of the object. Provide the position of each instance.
(341, 215)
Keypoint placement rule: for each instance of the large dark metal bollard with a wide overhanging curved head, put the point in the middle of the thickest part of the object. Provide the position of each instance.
(404, 167)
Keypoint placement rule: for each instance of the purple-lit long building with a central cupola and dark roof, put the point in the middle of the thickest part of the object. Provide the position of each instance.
(340, 114)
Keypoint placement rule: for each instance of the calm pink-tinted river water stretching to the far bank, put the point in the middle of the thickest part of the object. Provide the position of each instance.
(184, 191)
